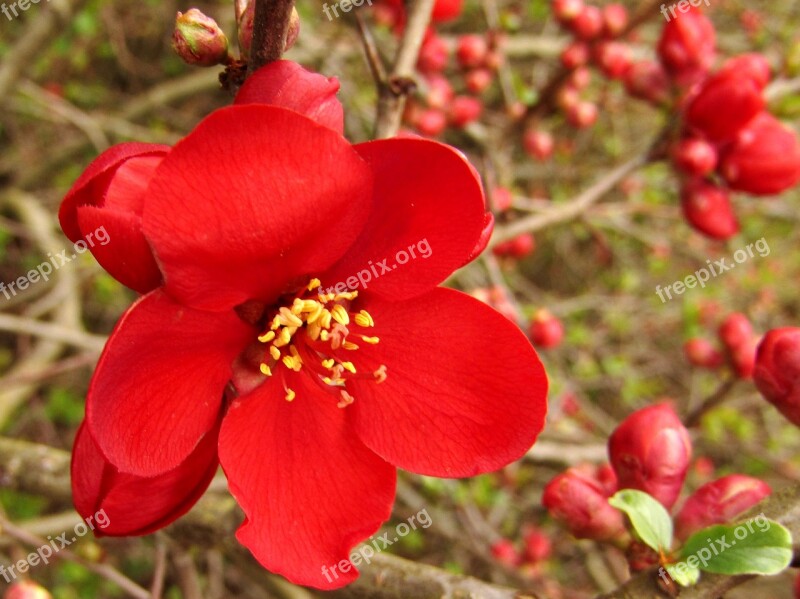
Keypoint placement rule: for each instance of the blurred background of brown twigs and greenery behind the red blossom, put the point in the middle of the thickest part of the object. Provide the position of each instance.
(79, 76)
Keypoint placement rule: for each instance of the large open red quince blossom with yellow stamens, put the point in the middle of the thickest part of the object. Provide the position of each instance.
(237, 355)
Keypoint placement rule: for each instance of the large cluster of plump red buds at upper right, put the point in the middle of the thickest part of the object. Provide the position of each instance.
(729, 141)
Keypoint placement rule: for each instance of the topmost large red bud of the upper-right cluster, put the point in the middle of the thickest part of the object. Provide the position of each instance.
(688, 43)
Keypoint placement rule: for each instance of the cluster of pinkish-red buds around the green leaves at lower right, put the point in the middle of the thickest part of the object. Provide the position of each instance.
(649, 451)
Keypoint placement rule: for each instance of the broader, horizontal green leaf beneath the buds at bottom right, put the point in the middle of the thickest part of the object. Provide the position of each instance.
(758, 546)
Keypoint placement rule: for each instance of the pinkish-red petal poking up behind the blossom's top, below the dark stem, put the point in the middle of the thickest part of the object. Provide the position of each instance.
(285, 83)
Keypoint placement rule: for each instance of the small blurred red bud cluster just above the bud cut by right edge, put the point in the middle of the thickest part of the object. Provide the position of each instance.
(738, 342)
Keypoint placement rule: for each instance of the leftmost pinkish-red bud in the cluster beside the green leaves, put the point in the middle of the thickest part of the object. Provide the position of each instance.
(576, 499)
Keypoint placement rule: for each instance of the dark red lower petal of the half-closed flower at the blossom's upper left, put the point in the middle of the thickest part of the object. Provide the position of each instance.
(125, 254)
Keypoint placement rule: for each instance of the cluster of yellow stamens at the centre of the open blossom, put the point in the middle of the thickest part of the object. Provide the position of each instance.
(315, 332)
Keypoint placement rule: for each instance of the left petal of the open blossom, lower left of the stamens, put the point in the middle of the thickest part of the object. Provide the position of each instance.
(158, 387)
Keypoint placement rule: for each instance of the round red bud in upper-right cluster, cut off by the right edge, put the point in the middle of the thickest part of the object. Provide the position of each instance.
(764, 159)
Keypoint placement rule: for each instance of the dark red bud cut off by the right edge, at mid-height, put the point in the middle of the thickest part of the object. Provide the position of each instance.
(777, 371)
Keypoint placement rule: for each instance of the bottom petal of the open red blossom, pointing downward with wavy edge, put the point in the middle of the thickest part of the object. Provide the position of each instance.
(309, 488)
